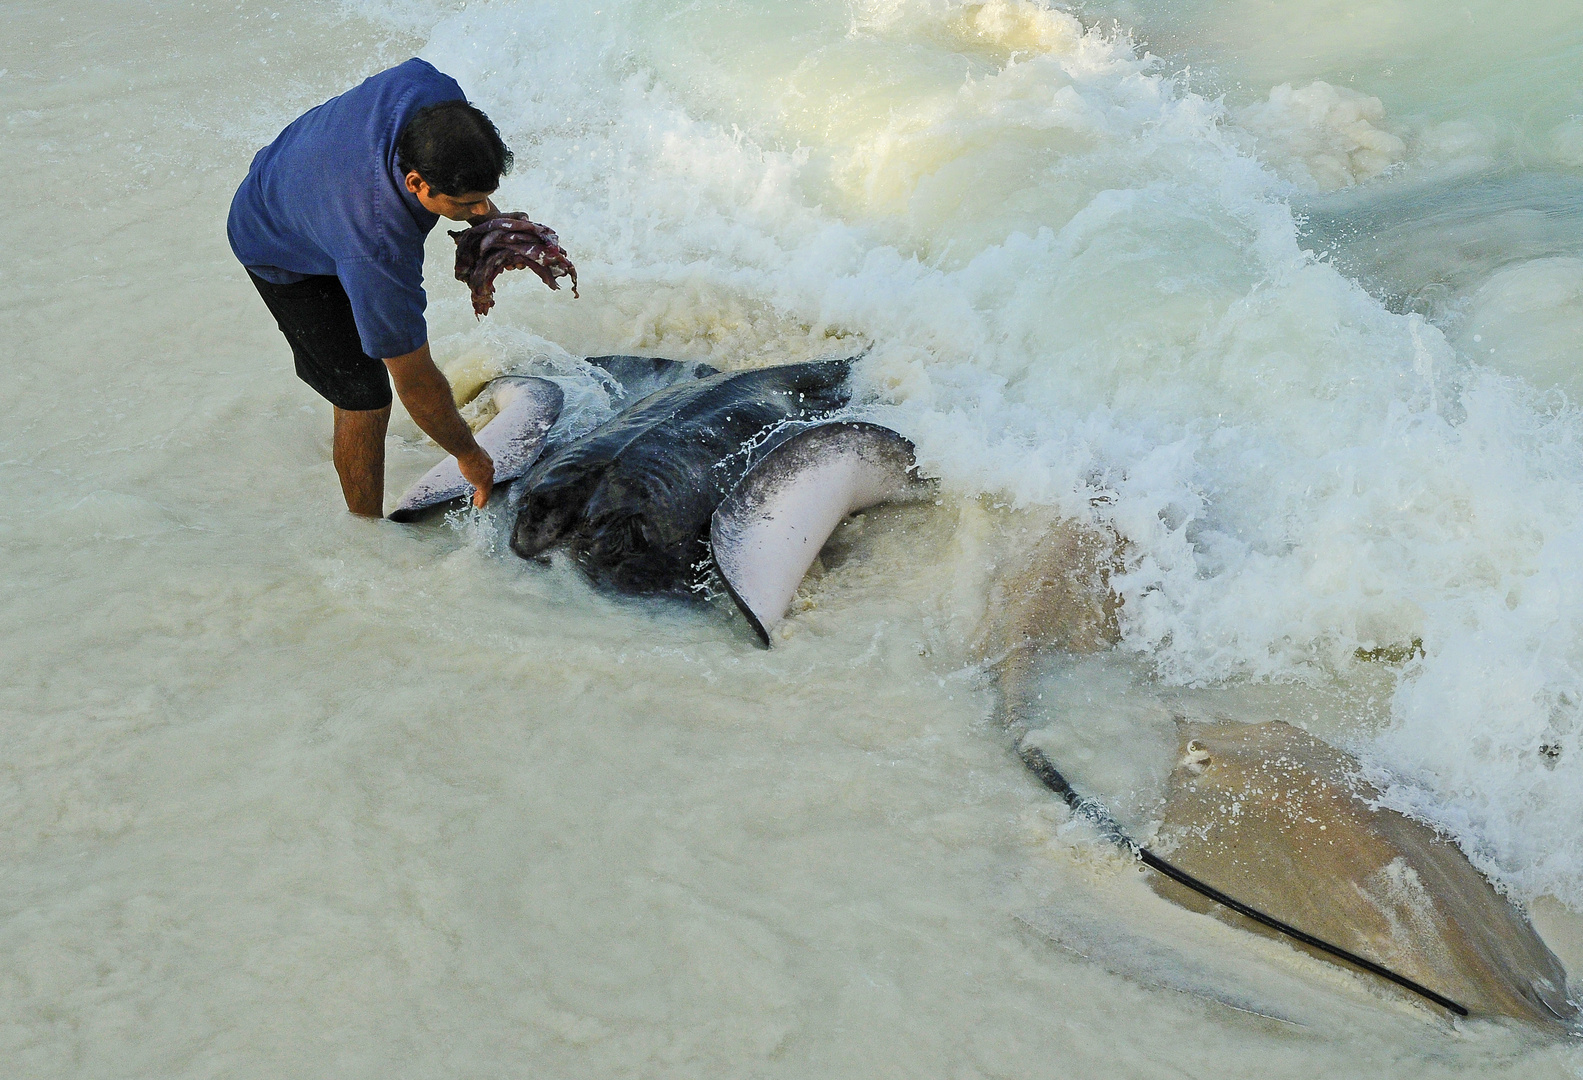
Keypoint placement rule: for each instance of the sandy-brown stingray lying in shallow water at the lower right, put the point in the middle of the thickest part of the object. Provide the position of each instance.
(1283, 823)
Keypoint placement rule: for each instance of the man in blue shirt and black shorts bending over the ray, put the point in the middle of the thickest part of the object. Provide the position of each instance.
(330, 226)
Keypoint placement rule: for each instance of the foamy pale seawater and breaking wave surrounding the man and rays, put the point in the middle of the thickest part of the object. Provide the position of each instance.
(1289, 297)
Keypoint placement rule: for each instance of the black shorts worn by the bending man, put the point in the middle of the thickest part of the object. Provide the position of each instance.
(316, 318)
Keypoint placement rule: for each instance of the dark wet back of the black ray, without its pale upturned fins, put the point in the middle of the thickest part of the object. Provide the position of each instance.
(632, 500)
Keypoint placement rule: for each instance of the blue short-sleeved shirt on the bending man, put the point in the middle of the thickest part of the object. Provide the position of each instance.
(327, 197)
